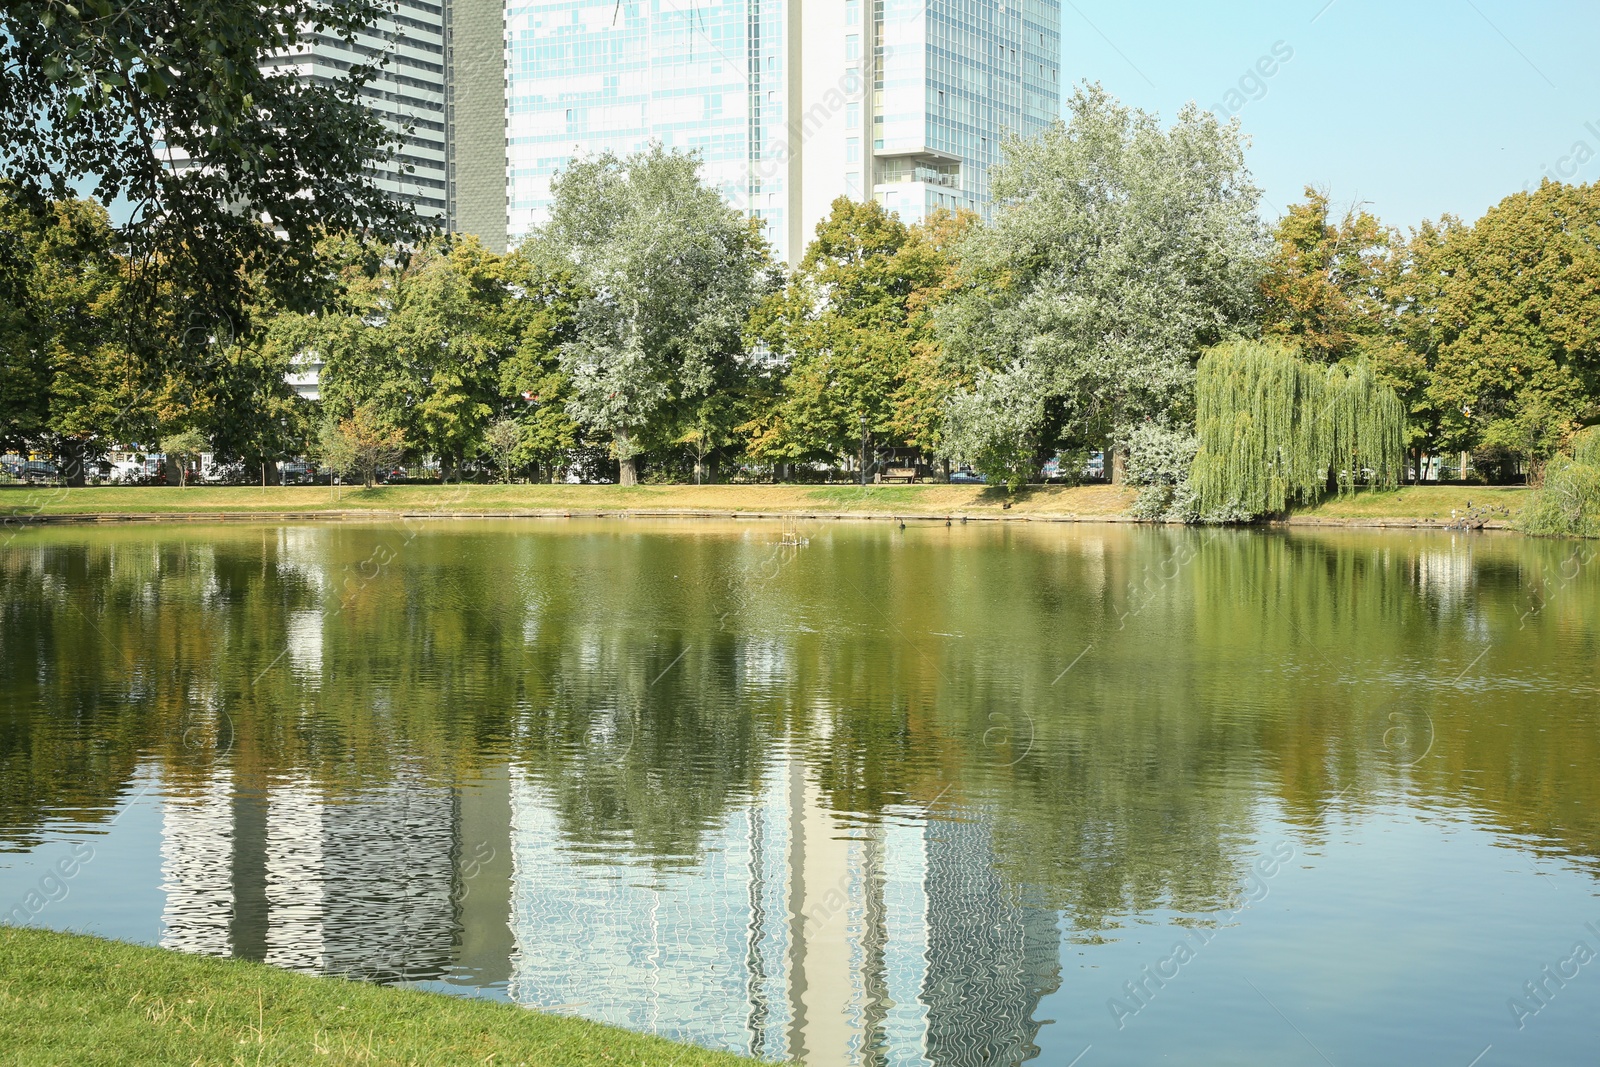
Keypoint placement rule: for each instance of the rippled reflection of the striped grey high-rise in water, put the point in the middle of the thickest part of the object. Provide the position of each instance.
(359, 885)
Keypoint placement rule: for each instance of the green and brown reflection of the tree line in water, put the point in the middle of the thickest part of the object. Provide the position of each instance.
(1225, 666)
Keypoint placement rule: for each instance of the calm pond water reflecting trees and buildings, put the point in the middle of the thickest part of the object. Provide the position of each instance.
(849, 794)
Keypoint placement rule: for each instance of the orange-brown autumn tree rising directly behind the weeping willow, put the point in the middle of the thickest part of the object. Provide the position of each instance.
(1324, 290)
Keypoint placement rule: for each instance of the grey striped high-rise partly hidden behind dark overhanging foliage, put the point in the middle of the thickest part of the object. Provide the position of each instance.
(444, 84)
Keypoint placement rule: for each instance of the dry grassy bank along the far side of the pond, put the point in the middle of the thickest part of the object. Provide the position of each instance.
(1422, 505)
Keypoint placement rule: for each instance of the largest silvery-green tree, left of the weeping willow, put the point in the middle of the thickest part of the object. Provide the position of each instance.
(1121, 250)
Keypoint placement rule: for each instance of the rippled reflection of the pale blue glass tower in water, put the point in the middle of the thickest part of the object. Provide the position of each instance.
(793, 938)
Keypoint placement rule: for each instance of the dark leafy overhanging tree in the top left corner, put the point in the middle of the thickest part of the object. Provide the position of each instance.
(233, 167)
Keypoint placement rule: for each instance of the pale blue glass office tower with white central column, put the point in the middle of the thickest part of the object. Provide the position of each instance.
(790, 105)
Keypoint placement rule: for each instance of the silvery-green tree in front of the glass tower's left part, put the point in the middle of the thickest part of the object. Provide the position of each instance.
(670, 274)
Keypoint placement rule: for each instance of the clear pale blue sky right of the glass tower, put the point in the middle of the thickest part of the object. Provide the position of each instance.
(1415, 106)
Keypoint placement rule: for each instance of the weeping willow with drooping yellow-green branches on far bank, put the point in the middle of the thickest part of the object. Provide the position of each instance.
(1278, 431)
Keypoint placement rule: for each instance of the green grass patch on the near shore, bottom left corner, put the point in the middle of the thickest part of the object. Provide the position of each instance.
(68, 999)
